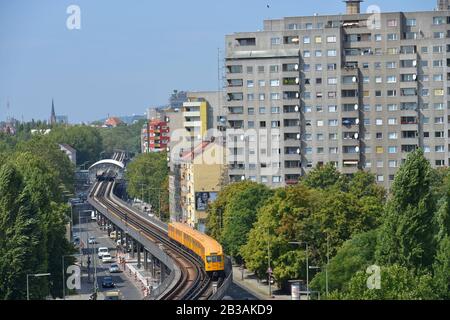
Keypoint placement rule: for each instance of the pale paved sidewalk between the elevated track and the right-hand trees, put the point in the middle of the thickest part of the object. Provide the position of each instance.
(256, 287)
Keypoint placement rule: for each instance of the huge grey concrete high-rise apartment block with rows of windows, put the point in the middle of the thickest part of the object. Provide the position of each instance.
(358, 90)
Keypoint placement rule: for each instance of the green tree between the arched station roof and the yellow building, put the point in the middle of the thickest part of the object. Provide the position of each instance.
(146, 176)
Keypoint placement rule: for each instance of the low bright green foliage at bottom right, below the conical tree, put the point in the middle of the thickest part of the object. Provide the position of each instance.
(397, 283)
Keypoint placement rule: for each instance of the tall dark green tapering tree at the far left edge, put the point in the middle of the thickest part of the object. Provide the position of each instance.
(20, 238)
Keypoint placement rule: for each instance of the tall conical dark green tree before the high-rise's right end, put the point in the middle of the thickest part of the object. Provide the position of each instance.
(406, 235)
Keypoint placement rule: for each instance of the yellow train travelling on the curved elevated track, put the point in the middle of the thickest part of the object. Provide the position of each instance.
(208, 249)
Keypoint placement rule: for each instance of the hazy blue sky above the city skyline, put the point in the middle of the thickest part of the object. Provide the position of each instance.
(128, 54)
